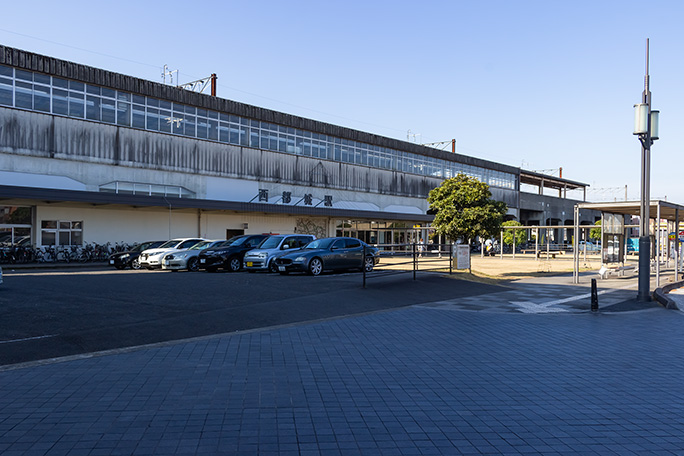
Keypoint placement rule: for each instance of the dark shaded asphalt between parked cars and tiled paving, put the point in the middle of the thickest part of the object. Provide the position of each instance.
(54, 313)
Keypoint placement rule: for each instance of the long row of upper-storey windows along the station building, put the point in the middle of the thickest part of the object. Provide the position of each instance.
(39, 92)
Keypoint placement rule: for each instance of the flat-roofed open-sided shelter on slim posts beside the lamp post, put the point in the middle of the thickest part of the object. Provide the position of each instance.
(618, 232)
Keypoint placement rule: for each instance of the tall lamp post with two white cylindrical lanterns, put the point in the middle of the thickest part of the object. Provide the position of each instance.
(646, 128)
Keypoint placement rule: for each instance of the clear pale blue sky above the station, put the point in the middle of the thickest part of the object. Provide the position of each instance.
(540, 85)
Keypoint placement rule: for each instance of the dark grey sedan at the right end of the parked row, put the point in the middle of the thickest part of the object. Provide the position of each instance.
(329, 254)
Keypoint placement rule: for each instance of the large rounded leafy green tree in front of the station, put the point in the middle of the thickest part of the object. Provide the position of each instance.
(464, 208)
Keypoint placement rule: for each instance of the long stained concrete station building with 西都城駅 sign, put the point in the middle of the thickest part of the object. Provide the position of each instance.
(88, 155)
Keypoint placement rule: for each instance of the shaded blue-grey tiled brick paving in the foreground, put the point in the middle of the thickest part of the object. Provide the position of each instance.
(484, 375)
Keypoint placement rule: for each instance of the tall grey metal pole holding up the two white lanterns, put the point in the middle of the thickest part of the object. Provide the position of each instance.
(644, 238)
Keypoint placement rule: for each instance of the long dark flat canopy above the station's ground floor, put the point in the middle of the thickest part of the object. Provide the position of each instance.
(31, 196)
